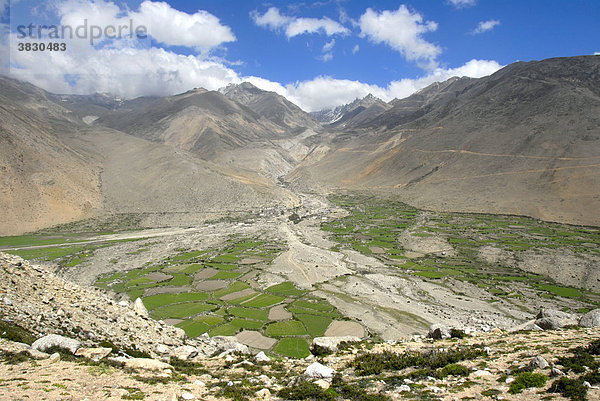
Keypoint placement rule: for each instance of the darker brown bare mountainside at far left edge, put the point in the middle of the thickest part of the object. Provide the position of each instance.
(43, 181)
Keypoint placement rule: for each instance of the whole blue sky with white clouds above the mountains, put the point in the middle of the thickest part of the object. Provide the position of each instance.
(317, 53)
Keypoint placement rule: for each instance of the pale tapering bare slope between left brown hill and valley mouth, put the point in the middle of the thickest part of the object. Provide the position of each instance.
(174, 186)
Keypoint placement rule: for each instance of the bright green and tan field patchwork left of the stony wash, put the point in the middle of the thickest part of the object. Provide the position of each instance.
(214, 291)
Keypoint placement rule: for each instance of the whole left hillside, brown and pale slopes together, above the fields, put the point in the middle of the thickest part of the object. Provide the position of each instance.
(57, 169)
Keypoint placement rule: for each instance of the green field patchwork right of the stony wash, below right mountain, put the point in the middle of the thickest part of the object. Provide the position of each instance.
(487, 250)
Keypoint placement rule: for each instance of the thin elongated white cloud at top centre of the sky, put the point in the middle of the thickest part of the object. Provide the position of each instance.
(294, 26)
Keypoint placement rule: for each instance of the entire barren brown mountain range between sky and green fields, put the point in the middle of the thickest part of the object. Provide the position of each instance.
(525, 140)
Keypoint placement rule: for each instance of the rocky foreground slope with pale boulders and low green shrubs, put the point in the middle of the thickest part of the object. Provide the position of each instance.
(69, 342)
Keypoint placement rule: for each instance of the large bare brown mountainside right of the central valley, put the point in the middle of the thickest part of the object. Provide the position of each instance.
(525, 140)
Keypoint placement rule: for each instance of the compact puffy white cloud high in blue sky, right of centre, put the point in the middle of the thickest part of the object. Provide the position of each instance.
(402, 30)
